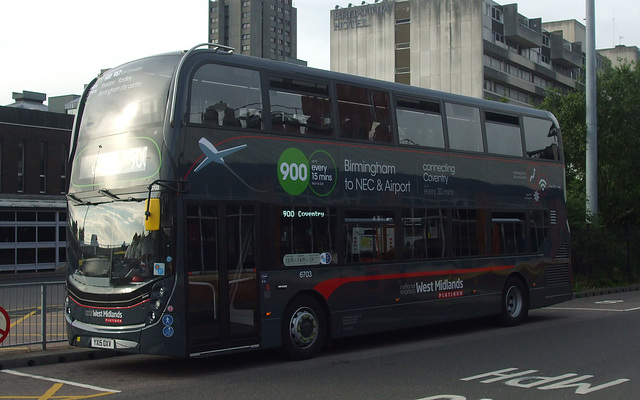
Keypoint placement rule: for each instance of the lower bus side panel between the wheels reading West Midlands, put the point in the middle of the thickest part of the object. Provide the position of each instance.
(403, 296)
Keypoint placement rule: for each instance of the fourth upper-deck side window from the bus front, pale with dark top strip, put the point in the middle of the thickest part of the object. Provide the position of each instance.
(420, 123)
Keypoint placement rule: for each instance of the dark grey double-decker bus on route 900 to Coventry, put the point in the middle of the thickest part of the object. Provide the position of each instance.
(220, 202)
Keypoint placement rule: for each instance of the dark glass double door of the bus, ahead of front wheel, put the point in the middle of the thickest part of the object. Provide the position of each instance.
(222, 287)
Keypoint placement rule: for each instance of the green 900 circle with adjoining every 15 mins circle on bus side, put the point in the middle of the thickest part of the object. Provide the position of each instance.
(296, 172)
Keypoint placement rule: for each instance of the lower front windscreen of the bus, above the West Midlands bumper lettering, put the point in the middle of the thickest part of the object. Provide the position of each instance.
(109, 250)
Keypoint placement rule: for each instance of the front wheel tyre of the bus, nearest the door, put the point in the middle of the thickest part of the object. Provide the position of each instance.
(304, 328)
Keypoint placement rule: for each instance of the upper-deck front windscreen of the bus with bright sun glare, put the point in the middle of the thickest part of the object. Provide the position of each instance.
(130, 96)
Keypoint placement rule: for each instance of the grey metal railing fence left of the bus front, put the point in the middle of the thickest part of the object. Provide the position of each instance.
(36, 313)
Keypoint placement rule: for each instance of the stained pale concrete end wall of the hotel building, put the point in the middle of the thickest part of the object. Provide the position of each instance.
(446, 43)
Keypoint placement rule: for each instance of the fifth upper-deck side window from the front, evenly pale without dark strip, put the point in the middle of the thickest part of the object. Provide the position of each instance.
(463, 125)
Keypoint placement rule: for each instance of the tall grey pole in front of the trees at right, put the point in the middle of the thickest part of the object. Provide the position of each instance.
(592, 115)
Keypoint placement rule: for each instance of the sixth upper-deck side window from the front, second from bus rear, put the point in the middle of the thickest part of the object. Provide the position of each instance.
(503, 134)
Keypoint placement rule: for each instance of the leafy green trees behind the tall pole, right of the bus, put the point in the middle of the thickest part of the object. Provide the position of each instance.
(618, 97)
